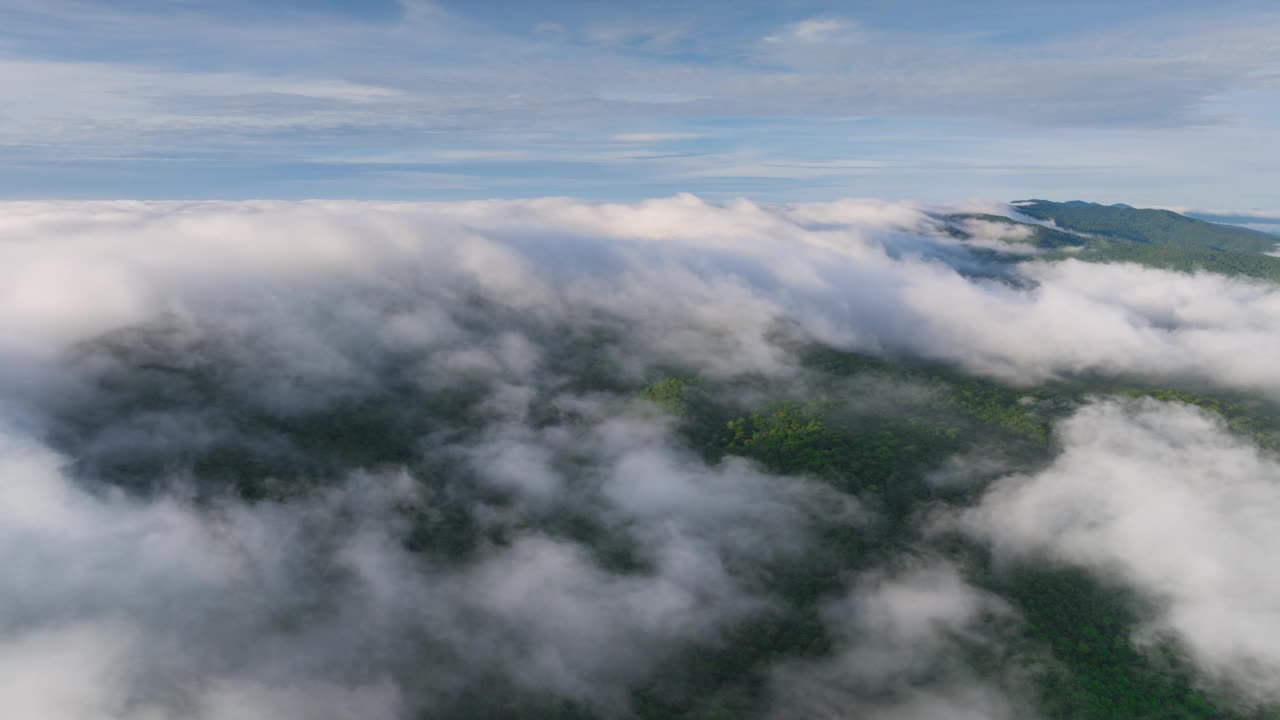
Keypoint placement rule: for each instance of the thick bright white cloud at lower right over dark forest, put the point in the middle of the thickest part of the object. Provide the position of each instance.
(1164, 499)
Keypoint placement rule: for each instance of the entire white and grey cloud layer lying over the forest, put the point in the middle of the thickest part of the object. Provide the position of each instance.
(136, 591)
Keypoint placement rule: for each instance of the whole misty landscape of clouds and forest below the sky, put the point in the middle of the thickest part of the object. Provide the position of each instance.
(557, 459)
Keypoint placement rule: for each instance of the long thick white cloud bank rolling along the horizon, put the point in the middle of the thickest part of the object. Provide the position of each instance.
(700, 282)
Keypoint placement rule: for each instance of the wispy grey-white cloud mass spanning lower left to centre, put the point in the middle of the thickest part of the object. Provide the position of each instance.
(162, 608)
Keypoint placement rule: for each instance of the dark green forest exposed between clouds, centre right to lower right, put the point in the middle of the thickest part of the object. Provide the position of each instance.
(1076, 640)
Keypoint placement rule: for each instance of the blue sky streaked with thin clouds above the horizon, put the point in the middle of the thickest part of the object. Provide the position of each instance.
(1146, 103)
